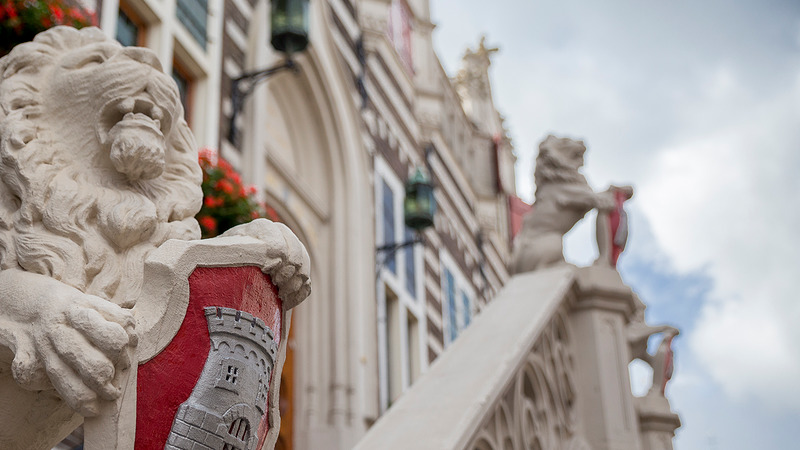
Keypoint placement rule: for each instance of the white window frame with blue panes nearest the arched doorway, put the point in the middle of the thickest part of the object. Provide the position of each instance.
(396, 282)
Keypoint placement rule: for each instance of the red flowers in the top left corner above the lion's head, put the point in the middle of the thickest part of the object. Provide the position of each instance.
(21, 20)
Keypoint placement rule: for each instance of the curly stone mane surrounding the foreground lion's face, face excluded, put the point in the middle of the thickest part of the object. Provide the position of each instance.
(58, 220)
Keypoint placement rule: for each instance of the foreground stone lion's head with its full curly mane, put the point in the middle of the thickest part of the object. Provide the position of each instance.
(97, 165)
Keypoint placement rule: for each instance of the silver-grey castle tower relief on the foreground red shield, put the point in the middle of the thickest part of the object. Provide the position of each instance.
(230, 398)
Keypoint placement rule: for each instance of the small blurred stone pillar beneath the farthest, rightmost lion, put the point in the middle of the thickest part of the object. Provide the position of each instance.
(657, 422)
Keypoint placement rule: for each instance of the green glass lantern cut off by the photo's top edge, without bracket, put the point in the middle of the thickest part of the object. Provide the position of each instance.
(289, 22)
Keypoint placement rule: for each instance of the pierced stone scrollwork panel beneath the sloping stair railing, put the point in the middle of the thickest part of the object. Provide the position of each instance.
(537, 410)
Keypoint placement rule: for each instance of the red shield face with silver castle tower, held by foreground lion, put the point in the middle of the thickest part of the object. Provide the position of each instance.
(210, 385)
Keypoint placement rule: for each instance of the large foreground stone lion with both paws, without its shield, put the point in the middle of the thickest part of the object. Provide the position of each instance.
(97, 169)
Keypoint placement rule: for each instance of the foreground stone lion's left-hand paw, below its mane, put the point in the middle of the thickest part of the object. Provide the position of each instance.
(78, 344)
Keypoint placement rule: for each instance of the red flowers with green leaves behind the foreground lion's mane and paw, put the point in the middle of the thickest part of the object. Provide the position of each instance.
(226, 202)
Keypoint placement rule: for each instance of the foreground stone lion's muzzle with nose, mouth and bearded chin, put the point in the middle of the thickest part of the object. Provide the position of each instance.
(133, 130)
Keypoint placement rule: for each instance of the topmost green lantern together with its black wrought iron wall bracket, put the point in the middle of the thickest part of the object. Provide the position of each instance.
(289, 23)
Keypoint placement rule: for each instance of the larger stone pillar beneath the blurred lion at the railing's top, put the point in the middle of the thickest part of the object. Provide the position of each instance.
(605, 403)
